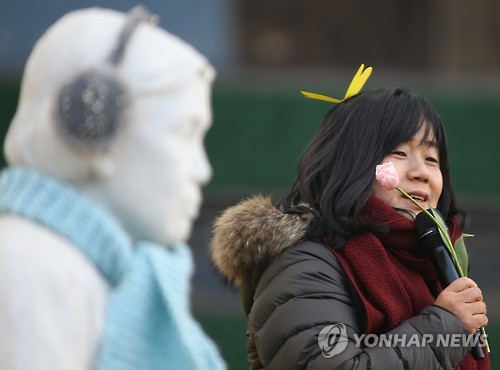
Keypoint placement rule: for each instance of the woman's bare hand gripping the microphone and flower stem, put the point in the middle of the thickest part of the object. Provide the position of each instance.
(464, 298)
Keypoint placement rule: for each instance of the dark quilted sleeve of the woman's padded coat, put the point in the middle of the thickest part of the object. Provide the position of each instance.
(304, 290)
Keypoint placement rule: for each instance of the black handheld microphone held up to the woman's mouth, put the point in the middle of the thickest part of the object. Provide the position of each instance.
(431, 241)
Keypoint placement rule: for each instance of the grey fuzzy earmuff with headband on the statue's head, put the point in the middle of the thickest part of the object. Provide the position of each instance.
(90, 107)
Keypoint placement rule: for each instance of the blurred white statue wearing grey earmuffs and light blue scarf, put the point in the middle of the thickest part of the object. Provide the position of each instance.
(119, 163)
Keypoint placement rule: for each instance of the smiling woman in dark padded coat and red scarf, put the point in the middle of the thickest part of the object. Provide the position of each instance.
(336, 266)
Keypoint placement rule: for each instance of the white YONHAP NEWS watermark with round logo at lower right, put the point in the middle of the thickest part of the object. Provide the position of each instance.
(333, 339)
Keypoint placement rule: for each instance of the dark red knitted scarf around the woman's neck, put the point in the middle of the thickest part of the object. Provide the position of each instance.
(391, 273)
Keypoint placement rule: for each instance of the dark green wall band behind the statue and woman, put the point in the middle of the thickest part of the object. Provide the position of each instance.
(259, 134)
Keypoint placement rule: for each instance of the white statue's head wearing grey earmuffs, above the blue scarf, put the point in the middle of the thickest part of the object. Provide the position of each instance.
(118, 107)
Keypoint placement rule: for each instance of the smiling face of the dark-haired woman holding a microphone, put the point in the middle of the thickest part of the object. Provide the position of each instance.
(418, 167)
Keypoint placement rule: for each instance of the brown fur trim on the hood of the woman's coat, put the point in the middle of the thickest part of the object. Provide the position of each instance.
(248, 235)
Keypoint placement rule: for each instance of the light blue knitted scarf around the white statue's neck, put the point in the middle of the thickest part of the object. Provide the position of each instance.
(149, 325)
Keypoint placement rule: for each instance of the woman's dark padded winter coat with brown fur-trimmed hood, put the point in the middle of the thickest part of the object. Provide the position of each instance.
(292, 288)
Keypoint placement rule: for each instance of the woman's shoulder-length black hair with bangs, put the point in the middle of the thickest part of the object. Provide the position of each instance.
(337, 171)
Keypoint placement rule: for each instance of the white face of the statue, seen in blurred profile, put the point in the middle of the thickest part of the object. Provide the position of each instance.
(160, 164)
